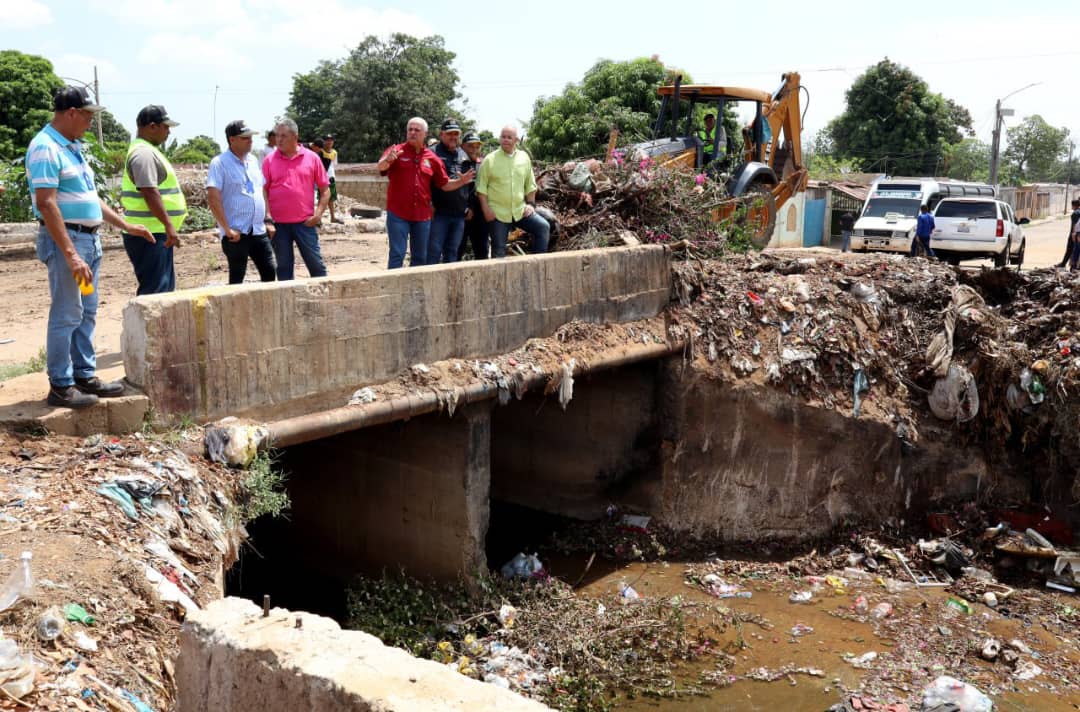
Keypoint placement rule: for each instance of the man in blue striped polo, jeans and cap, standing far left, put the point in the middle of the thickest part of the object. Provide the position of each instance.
(71, 212)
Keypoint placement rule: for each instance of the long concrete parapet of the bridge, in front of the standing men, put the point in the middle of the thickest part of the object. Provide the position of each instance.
(249, 350)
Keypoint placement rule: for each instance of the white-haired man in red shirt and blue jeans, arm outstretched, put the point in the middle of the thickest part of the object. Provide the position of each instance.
(413, 170)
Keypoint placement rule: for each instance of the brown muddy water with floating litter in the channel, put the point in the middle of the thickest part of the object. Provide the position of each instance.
(823, 649)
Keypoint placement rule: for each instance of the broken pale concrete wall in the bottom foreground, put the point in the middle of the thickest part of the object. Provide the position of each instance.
(233, 659)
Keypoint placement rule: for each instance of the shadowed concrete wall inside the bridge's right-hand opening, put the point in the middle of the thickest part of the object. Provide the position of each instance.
(573, 462)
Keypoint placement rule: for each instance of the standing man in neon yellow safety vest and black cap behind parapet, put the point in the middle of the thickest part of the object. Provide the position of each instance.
(152, 196)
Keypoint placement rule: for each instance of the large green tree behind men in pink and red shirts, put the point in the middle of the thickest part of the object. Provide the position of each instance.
(367, 99)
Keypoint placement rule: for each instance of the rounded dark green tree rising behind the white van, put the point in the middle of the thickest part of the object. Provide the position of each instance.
(895, 123)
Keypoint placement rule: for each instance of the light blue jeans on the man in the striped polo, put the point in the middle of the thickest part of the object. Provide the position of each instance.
(70, 340)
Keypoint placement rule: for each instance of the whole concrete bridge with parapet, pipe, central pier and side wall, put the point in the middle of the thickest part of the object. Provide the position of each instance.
(409, 480)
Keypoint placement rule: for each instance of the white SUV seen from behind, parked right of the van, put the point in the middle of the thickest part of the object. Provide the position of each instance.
(974, 229)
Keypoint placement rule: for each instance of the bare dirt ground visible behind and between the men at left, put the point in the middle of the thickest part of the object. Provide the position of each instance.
(24, 285)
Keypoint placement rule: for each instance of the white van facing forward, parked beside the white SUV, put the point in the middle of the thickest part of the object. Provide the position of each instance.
(893, 206)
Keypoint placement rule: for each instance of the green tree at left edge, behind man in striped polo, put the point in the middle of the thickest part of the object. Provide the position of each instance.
(28, 85)
